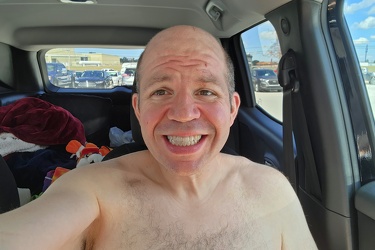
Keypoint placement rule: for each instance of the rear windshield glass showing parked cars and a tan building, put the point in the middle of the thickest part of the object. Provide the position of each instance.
(94, 68)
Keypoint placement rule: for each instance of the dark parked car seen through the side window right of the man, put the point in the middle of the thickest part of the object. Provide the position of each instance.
(265, 80)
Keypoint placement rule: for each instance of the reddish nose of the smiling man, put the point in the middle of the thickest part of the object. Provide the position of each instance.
(183, 108)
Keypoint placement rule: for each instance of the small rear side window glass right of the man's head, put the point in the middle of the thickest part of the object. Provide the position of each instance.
(263, 54)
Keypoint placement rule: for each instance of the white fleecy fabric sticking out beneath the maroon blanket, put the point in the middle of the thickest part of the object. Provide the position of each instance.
(10, 144)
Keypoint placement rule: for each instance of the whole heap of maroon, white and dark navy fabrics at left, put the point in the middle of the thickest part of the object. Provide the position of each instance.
(33, 136)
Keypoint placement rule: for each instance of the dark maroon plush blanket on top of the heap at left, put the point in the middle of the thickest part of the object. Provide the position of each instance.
(36, 121)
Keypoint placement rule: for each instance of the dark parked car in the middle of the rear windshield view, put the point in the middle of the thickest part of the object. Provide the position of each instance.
(94, 79)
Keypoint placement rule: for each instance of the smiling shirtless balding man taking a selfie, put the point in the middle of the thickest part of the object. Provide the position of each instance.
(182, 193)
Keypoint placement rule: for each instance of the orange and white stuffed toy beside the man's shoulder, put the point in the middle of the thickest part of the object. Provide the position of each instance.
(90, 153)
